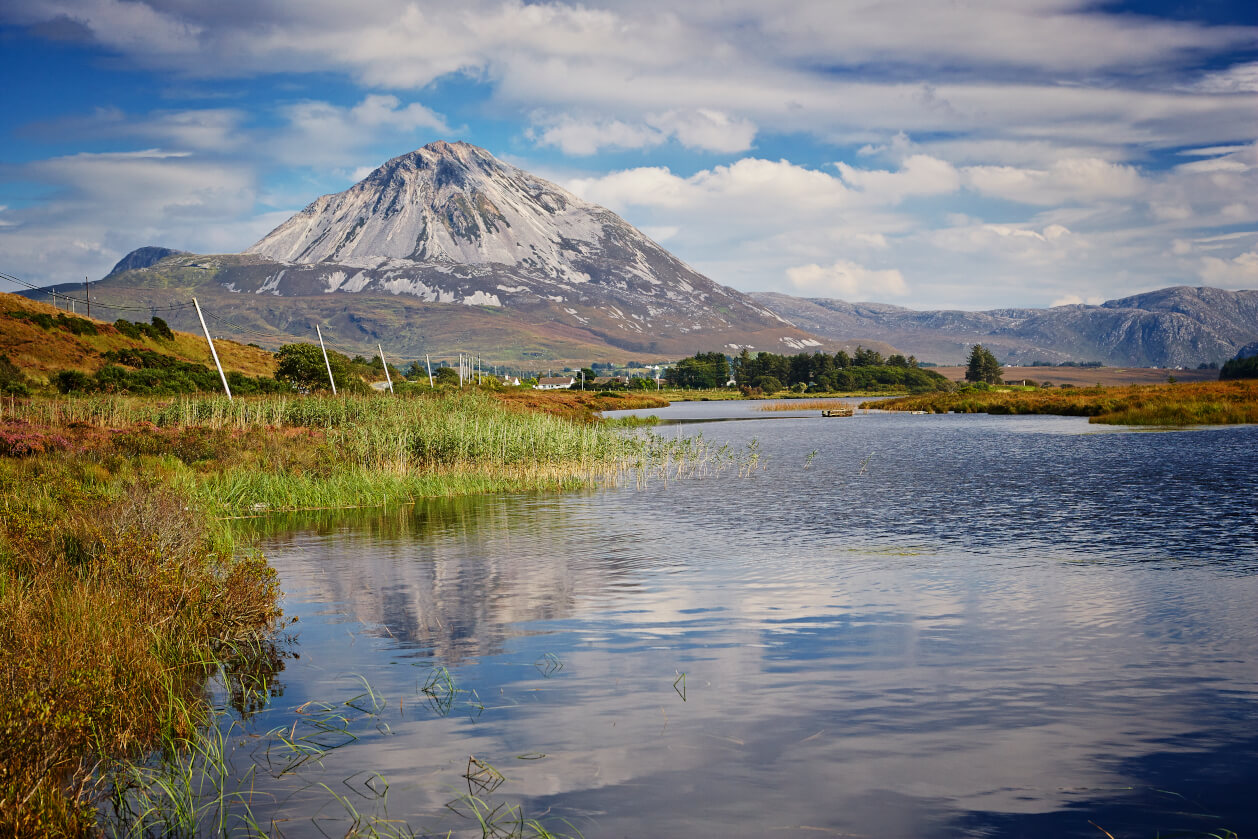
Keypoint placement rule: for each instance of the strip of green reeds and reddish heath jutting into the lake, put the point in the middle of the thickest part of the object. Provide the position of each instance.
(282, 453)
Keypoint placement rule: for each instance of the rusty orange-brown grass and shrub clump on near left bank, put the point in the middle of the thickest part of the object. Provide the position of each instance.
(119, 599)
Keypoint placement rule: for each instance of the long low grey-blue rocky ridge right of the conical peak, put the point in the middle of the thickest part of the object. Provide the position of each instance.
(1181, 326)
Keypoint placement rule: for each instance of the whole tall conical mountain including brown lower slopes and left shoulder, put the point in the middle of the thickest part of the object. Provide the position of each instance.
(448, 248)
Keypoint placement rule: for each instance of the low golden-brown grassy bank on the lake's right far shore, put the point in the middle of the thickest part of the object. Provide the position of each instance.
(1205, 403)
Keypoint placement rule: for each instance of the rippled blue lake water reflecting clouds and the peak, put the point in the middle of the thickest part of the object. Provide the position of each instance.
(943, 626)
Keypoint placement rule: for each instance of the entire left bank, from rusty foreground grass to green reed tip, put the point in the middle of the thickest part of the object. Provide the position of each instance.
(123, 591)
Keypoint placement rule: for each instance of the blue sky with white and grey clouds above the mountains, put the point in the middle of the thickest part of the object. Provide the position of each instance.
(929, 154)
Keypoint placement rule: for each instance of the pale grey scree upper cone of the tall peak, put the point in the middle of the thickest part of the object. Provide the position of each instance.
(452, 223)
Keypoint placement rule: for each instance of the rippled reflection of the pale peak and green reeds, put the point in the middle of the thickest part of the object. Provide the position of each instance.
(451, 577)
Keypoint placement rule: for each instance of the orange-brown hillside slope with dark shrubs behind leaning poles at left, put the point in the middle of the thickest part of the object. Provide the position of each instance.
(69, 345)
